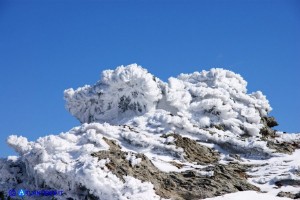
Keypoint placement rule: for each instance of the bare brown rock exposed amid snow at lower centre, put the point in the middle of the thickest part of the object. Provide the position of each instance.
(190, 184)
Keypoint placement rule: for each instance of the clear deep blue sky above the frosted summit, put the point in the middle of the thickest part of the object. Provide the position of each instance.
(48, 46)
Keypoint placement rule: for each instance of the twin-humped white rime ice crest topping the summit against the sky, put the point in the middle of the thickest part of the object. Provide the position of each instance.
(215, 97)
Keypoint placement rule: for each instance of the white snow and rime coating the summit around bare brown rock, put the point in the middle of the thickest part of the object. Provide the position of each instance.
(132, 107)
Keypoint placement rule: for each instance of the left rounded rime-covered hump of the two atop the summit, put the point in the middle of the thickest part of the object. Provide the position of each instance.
(120, 93)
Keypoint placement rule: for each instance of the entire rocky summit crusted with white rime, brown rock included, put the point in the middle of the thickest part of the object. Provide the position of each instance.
(196, 136)
